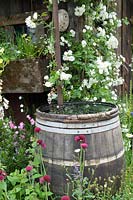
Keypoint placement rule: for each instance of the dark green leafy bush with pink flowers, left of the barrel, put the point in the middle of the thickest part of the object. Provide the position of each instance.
(14, 144)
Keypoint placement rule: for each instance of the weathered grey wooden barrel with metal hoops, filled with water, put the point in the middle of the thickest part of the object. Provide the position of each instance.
(105, 153)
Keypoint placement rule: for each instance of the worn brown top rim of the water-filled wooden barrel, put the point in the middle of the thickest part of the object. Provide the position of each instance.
(99, 116)
